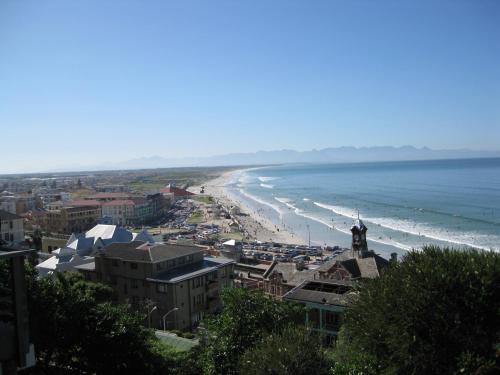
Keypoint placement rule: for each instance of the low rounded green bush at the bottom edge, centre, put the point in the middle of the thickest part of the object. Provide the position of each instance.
(296, 350)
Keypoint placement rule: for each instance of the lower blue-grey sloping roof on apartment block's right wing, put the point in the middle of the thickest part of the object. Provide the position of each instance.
(192, 270)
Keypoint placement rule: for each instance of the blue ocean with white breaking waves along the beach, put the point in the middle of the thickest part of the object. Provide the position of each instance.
(405, 205)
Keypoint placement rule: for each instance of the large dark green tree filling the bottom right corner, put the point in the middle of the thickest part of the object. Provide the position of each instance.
(432, 313)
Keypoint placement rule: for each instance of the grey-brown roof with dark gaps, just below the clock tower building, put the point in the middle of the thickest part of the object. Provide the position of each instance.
(322, 292)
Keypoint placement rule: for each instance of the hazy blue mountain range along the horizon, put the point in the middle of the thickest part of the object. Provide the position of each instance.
(326, 155)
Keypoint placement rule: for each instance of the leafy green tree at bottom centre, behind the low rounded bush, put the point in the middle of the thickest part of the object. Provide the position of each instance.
(247, 317)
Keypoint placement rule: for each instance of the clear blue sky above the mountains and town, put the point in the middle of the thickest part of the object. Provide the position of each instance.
(83, 81)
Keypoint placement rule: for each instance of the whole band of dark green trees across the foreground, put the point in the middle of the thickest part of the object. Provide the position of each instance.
(436, 312)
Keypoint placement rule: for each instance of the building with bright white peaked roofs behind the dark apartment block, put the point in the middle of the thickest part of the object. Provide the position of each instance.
(79, 248)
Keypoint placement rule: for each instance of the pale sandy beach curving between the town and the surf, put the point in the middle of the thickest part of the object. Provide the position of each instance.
(257, 226)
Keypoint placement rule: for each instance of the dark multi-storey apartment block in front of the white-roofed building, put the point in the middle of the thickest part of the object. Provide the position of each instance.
(175, 285)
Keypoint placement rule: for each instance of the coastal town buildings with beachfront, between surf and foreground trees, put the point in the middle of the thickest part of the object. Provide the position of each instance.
(177, 238)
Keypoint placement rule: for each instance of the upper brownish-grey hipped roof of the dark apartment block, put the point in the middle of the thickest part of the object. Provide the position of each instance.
(142, 251)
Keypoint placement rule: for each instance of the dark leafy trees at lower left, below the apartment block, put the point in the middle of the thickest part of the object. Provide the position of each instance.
(75, 330)
